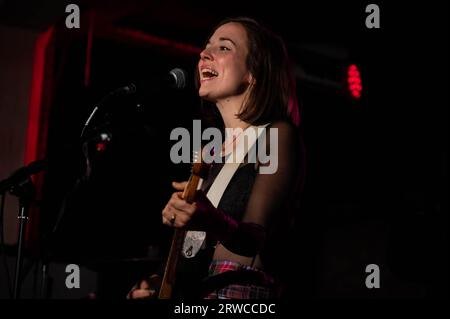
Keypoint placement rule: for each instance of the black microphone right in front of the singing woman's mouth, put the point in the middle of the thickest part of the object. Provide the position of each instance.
(175, 79)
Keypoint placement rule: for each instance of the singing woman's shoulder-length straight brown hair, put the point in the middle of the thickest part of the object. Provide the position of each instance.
(273, 96)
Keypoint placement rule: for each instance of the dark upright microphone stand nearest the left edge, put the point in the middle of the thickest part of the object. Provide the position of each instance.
(25, 191)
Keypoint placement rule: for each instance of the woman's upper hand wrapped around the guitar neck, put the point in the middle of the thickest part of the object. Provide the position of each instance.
(178, 212)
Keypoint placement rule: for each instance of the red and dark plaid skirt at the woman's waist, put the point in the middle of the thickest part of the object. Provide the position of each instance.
(264, 287)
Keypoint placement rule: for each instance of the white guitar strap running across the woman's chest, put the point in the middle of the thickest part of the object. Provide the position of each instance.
(195, 240)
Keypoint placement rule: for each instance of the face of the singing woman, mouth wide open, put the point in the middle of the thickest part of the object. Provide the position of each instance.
(222, 66)
